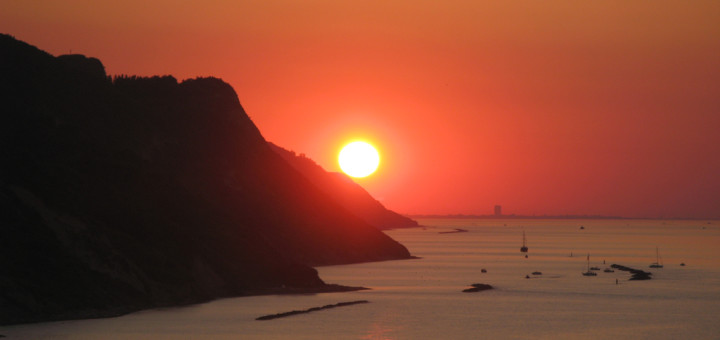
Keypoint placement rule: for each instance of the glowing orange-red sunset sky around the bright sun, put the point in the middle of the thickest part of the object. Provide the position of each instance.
(544, 107)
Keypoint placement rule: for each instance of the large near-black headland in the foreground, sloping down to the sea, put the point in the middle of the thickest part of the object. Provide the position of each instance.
(130, 193)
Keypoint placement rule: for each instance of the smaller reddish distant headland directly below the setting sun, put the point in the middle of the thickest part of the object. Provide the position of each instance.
(346, 192)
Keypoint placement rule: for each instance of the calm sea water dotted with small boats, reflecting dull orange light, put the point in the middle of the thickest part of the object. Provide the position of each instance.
(422, 298)
